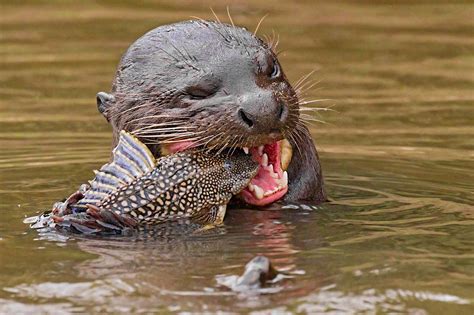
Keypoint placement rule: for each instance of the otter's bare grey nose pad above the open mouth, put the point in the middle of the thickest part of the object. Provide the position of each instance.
(262, 114)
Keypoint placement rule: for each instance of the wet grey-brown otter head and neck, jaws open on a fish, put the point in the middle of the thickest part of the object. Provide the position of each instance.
(215, 86)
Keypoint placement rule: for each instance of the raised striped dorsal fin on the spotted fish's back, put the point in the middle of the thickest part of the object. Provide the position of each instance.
(131, 159)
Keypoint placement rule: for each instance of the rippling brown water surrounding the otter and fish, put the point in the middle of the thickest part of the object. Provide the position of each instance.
(398, 157)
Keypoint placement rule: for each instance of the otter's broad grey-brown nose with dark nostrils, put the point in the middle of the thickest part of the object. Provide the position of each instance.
(262, 113)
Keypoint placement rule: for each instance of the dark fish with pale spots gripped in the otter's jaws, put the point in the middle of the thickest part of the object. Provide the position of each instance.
(135, 190)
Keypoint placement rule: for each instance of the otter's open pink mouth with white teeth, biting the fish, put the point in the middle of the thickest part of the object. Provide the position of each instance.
(270, 183)
